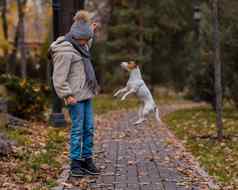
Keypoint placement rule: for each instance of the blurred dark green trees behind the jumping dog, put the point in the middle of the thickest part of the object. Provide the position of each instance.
(161, 37)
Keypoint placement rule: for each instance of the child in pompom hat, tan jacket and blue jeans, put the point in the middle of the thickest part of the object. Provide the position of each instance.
(75, 81)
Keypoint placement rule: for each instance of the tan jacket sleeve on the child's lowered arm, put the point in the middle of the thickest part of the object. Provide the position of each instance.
(62, 64)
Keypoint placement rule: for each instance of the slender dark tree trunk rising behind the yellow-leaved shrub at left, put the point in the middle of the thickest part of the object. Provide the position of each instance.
(21, 16)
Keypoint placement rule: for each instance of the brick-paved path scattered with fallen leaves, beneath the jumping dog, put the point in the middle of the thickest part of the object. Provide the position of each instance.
(146, 157)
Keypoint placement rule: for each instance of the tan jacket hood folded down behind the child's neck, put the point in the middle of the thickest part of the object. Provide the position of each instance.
(60, 45)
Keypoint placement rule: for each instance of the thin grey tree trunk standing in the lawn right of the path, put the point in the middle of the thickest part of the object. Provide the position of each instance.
(217, 65)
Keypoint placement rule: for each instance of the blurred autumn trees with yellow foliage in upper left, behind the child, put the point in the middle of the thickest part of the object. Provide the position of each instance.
(18, 58)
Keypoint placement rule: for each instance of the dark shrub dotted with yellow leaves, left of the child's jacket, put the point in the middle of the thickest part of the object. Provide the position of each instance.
(27, 98)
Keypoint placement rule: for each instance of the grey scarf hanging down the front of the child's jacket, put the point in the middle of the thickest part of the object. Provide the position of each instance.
(91, 80)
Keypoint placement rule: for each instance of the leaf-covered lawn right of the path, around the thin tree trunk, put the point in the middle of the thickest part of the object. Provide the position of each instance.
(196, 128)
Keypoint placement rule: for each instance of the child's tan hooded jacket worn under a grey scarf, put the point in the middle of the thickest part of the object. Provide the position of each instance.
(68, 75)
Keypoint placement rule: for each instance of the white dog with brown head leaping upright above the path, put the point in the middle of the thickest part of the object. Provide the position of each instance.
(137, 85)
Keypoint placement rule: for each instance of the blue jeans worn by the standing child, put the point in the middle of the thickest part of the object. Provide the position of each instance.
(82, 131)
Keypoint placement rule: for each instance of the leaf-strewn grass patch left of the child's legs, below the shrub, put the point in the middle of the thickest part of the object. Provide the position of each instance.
(38, 155)
